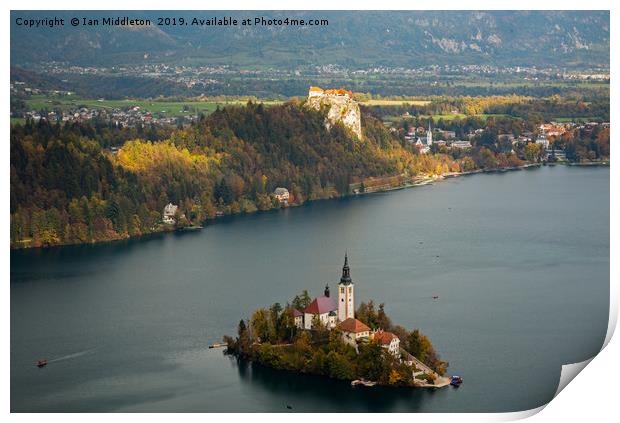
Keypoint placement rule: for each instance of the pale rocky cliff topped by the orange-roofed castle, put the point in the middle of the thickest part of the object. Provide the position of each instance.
(342, 108)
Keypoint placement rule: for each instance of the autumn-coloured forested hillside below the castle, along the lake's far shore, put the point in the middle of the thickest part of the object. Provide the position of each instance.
(68, 187)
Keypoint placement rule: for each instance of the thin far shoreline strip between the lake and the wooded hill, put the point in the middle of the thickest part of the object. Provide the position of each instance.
(416, 182)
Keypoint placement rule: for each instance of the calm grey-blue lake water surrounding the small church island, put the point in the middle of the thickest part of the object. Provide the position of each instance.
(520, 262)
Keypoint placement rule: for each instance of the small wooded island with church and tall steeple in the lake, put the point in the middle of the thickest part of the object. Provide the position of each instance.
(327, 336)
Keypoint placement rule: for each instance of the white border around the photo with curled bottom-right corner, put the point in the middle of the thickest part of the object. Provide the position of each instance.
(592, 396)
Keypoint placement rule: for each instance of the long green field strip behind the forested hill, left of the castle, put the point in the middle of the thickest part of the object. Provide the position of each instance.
(158, 108)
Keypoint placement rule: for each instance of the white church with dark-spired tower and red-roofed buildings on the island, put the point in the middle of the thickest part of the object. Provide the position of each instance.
(332, 312)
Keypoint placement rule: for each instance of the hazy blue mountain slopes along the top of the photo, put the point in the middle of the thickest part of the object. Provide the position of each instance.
(397, 39)
